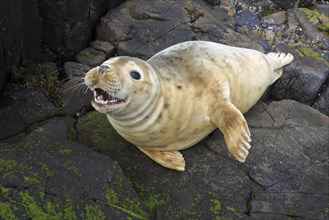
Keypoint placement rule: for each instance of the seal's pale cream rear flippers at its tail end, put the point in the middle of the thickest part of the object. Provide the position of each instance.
(278, 61)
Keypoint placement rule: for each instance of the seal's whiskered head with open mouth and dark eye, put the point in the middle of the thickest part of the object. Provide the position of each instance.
(122, 85)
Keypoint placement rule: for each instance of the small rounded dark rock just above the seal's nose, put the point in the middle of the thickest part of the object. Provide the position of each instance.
(90, 57)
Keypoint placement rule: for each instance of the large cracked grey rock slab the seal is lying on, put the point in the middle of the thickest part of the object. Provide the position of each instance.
(287, 160)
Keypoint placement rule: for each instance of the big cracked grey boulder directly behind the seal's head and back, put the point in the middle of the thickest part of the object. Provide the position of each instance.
(146, 30)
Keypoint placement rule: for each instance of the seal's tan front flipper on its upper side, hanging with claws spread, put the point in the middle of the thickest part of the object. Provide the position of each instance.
(235, 129)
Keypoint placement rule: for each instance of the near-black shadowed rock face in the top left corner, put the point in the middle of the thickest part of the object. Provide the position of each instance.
(64, 28)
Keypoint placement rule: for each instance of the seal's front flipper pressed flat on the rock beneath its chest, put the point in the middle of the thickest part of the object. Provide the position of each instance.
(170, 159)
